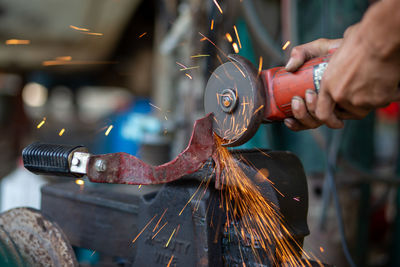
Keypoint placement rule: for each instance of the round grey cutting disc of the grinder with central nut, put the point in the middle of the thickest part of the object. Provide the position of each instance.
(235, 96)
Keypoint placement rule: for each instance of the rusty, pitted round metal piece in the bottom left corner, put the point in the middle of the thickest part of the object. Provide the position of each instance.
(39, 241)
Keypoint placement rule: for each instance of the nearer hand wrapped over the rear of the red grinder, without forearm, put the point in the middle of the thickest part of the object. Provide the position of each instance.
(357, 80)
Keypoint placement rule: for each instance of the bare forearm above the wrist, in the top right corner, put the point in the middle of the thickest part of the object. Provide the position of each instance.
(380, 28)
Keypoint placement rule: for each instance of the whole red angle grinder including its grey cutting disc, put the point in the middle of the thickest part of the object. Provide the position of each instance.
(242, 97)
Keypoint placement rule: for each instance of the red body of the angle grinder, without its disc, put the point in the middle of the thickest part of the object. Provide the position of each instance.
(281, 86)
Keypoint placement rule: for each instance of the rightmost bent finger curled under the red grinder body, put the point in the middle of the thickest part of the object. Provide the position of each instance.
(324, 111)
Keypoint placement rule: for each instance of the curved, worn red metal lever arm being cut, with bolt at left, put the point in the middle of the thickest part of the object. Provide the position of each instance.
(122, 168)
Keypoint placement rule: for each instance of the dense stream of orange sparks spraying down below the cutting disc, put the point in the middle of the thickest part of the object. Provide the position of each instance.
(259, 218)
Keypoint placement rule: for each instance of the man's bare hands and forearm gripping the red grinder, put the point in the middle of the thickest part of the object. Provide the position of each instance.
(363, 74)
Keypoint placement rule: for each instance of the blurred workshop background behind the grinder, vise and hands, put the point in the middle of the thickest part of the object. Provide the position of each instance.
(129, 76)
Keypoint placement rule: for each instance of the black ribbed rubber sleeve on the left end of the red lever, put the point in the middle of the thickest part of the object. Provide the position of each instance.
(41, 158)
